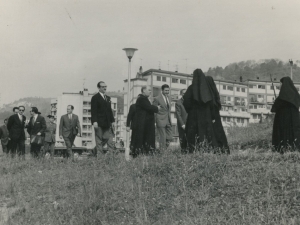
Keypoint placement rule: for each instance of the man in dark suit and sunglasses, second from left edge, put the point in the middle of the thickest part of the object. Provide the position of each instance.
(16, 126)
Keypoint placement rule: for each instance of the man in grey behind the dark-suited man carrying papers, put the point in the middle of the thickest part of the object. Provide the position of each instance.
(50, 132)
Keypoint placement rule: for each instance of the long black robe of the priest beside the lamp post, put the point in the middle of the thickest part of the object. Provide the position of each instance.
(143, 130)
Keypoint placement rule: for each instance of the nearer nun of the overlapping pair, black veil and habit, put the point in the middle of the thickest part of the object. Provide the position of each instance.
(198, 104)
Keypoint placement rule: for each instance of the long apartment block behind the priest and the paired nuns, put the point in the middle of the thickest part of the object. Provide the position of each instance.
(233, 95)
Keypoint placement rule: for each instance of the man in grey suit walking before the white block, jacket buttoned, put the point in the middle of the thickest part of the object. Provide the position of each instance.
(69, 127)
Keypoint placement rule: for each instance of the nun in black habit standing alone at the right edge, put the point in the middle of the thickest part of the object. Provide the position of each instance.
(286, 127)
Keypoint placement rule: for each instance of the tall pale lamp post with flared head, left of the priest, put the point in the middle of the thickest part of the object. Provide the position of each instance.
(129, 53)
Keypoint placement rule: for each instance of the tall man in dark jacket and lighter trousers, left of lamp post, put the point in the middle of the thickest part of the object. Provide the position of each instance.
(102, 119)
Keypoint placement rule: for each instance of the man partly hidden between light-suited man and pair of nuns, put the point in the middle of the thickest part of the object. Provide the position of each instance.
(181, 116)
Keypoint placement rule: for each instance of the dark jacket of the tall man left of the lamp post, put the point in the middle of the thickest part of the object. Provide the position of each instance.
(101, 111)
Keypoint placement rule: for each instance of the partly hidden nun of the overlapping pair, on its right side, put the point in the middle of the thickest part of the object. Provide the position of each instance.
(219, 132)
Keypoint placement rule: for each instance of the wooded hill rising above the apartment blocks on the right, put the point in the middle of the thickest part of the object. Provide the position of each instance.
(252, 69)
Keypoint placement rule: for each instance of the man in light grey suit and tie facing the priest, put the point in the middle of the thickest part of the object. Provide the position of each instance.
(163, 117)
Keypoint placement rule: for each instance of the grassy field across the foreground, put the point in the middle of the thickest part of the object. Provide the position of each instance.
(253, 186)
